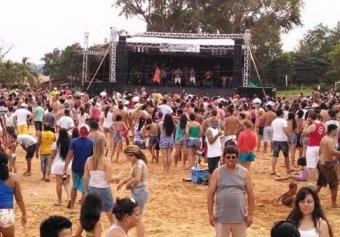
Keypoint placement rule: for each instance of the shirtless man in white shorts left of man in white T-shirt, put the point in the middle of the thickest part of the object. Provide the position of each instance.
(268, 117)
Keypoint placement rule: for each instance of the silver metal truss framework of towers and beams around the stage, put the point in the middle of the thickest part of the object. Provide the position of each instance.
(246, 37)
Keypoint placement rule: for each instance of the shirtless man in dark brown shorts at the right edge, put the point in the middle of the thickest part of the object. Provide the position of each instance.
(327, 163)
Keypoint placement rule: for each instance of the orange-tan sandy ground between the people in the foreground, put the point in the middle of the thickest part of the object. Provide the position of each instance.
(174, 208)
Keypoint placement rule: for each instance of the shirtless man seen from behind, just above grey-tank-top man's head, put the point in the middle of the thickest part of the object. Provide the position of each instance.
(231, 126)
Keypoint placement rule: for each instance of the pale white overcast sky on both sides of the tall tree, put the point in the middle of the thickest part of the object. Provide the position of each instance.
(38, 26)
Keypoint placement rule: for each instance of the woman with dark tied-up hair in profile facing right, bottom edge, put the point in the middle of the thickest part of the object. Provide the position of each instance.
(127, 215)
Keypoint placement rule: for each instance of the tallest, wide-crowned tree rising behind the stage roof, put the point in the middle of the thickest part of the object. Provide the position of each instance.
(267, 19)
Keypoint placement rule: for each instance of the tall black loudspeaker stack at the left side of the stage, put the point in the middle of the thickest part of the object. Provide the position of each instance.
(121, 60)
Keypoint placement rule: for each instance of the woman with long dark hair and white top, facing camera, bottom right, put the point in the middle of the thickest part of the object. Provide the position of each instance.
(309, 216)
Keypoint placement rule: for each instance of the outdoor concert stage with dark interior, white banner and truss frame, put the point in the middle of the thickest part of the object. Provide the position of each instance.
(131, 61)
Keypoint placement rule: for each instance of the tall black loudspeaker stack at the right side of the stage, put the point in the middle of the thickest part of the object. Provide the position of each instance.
(238, 63)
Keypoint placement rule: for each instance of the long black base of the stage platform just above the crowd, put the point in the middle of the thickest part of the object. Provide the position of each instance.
(98, 87)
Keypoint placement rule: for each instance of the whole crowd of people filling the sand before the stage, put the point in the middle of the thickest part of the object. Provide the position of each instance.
(79, 137)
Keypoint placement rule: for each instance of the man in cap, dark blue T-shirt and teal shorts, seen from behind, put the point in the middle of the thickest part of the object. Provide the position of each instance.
(81, 148)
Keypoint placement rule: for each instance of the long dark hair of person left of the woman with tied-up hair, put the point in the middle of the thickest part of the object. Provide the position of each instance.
(90, 212)
